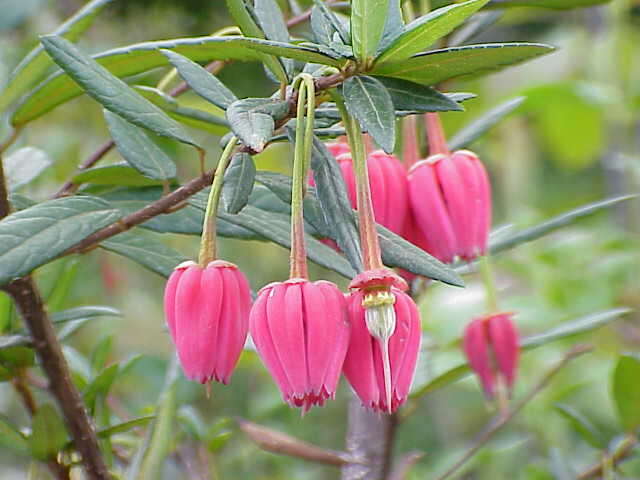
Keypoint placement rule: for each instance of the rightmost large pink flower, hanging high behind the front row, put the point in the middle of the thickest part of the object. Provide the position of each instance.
(450, 198)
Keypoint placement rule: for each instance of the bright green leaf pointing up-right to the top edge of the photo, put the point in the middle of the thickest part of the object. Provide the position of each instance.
(424, 31)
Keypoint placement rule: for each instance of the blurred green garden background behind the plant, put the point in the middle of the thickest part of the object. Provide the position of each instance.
(575, 139)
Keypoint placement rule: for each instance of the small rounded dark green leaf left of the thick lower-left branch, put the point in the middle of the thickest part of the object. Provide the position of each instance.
(48, 435)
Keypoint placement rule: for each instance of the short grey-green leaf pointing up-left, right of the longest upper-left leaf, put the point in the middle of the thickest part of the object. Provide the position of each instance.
(203, 82)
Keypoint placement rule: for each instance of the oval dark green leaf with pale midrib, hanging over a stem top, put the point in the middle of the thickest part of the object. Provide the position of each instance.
(369, 101)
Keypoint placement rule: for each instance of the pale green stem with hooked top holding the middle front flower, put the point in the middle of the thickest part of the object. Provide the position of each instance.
(302, 159)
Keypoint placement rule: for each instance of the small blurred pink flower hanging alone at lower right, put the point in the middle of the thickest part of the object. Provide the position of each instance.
(492, 348)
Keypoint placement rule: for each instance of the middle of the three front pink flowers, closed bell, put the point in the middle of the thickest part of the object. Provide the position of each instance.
(301, 332)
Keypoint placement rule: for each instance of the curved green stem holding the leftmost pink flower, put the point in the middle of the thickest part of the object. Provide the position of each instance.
(208, 240)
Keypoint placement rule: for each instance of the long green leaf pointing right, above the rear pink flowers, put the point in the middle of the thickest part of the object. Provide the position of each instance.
(436, 66)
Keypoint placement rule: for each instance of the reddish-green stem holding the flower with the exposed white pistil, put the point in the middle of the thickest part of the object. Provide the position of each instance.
(372, 258)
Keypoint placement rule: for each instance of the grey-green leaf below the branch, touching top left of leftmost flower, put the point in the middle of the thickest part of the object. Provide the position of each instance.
(146, 251)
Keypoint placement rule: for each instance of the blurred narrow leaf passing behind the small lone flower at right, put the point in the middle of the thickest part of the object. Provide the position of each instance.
(575, 327)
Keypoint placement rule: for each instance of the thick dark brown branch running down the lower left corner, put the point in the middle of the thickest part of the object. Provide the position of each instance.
(52, 361)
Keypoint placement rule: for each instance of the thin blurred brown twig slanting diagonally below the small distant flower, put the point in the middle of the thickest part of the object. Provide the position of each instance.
(502, 419)
